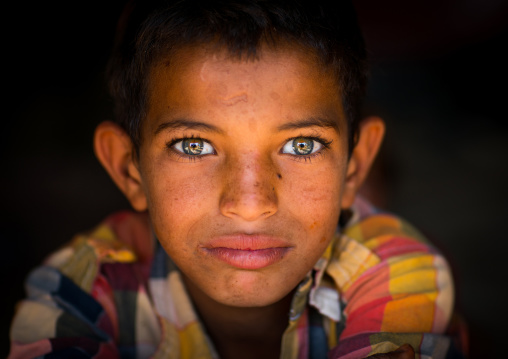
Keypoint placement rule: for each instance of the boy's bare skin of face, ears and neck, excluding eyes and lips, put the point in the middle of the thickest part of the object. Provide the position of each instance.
(250, 184)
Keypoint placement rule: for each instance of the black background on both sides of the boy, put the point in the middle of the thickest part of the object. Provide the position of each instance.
(439, 79)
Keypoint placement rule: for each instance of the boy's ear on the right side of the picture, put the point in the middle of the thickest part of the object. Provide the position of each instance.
(371, 133)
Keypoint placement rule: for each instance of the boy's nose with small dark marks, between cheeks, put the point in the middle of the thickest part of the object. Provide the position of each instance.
(249, 192)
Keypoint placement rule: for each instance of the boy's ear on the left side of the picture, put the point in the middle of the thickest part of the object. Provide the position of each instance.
(115, 151)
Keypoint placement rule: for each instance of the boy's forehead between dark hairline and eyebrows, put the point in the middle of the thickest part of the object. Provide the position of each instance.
(285, 80)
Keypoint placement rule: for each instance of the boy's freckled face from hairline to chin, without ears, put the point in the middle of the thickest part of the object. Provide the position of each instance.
(243, 167)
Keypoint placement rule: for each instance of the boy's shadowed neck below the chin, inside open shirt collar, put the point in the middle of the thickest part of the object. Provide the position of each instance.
(242, 331)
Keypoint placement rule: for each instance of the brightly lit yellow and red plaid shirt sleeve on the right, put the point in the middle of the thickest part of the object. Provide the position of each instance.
(396, 289)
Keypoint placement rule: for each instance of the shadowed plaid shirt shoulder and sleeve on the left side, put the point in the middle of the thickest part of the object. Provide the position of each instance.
(79, 289)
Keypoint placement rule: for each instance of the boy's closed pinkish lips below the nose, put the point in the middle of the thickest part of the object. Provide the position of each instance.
(247, 251)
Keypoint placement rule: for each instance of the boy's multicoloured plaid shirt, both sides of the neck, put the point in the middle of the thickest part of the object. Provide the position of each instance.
(114, 293)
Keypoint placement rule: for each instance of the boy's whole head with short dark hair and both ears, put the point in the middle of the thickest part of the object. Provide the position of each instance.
(241, 151)
